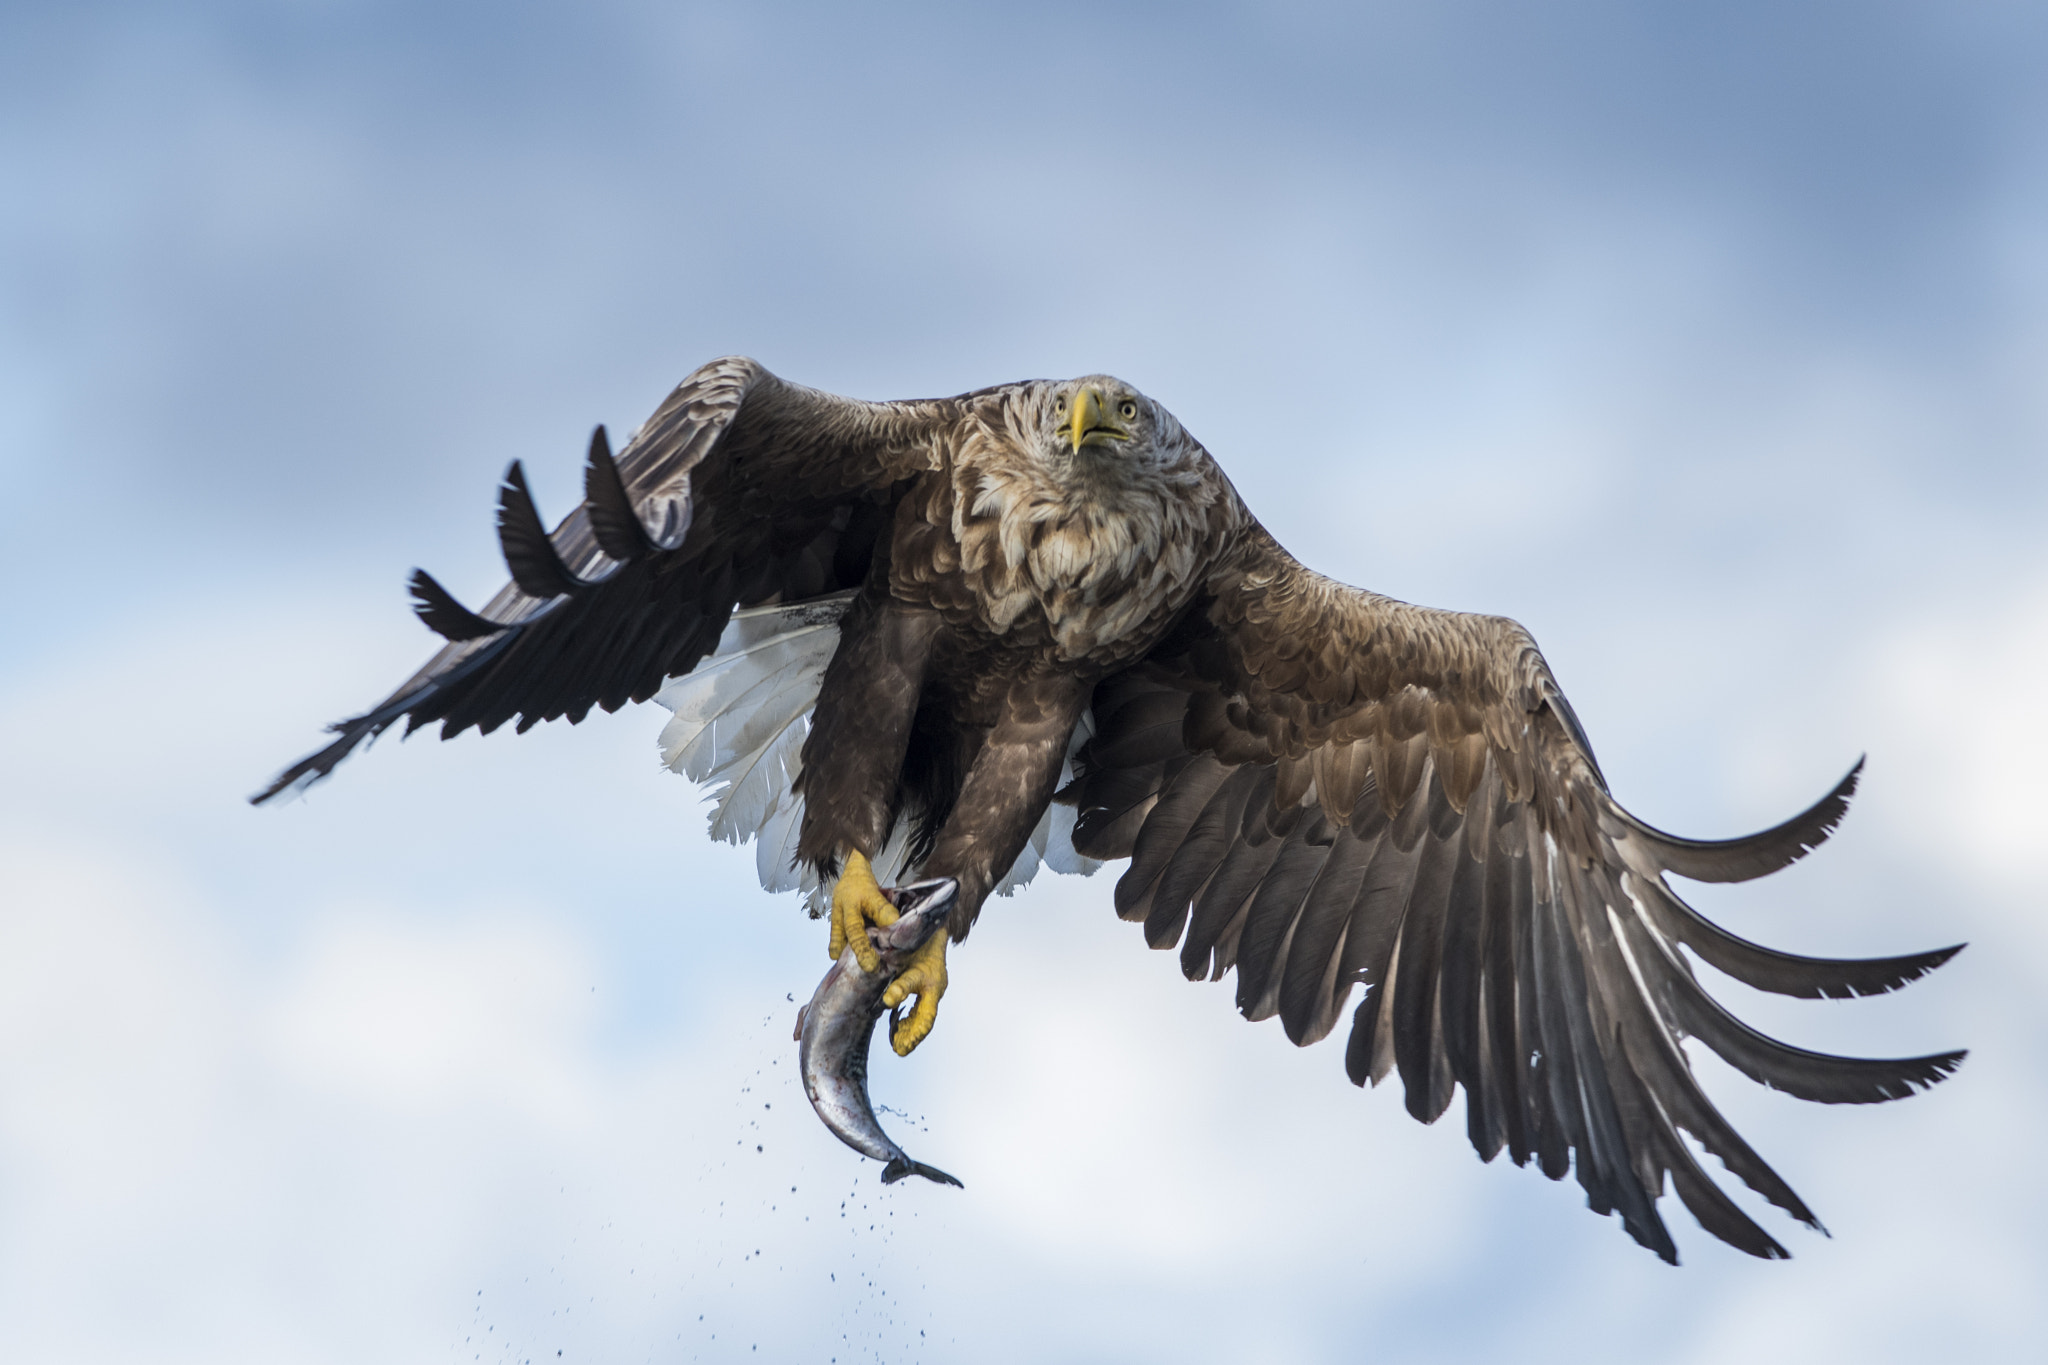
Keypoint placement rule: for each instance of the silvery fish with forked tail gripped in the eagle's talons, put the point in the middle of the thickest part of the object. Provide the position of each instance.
(837, 1028)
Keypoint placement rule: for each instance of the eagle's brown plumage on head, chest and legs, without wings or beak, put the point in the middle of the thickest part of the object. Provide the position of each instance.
(1013, 578)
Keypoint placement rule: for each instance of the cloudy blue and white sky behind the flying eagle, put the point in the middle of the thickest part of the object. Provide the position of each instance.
(1705, 341)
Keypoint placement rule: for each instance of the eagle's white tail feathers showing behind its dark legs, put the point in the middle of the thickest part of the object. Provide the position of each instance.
(740, 723)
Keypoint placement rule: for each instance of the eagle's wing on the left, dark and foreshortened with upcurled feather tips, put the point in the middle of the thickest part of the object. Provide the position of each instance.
(740, 490)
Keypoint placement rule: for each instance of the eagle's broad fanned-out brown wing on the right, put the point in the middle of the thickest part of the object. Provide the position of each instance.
(1324, 787)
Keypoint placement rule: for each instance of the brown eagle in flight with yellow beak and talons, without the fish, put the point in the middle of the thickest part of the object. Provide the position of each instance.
(1035, 625)
